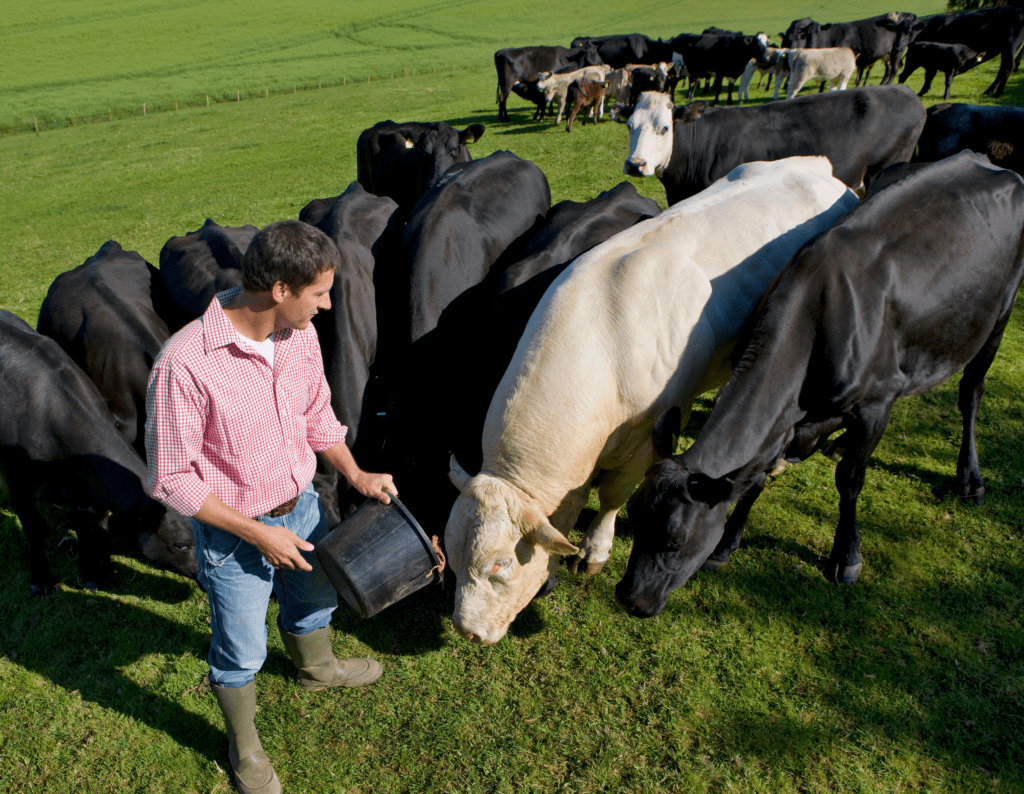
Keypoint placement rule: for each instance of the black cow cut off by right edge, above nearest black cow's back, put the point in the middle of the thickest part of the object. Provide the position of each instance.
(996, 132)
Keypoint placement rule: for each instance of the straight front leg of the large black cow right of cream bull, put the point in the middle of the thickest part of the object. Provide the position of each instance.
(865, 431)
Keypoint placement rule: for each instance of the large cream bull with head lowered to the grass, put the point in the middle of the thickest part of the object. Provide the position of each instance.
(625, 340)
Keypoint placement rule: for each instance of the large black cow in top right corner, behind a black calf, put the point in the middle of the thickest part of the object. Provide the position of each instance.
(993, 32)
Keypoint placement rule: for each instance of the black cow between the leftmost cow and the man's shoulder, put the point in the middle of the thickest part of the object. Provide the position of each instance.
(104, 314)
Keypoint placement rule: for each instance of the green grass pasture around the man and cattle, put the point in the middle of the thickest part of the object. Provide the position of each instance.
(762, 678)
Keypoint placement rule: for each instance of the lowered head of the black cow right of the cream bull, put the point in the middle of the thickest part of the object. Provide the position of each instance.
(678, 519)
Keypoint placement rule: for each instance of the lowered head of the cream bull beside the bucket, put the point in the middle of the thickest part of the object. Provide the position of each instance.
(502, 550)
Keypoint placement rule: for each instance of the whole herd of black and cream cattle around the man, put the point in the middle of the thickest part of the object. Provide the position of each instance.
(526, 353)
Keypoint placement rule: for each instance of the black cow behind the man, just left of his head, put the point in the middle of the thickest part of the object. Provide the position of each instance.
(197, 267)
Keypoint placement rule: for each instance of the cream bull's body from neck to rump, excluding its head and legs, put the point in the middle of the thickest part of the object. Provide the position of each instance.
(647, 320)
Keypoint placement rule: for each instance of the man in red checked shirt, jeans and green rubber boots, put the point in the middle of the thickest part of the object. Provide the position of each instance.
(238, 404)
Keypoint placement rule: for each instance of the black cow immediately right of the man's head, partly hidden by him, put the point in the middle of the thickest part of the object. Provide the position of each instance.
(365, 230)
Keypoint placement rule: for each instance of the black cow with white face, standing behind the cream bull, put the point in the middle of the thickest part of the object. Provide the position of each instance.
(861, 131)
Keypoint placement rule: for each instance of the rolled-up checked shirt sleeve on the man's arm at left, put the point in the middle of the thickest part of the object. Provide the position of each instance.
(175, 429)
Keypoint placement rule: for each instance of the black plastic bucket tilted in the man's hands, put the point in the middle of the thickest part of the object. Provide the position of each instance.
(378, 556)
